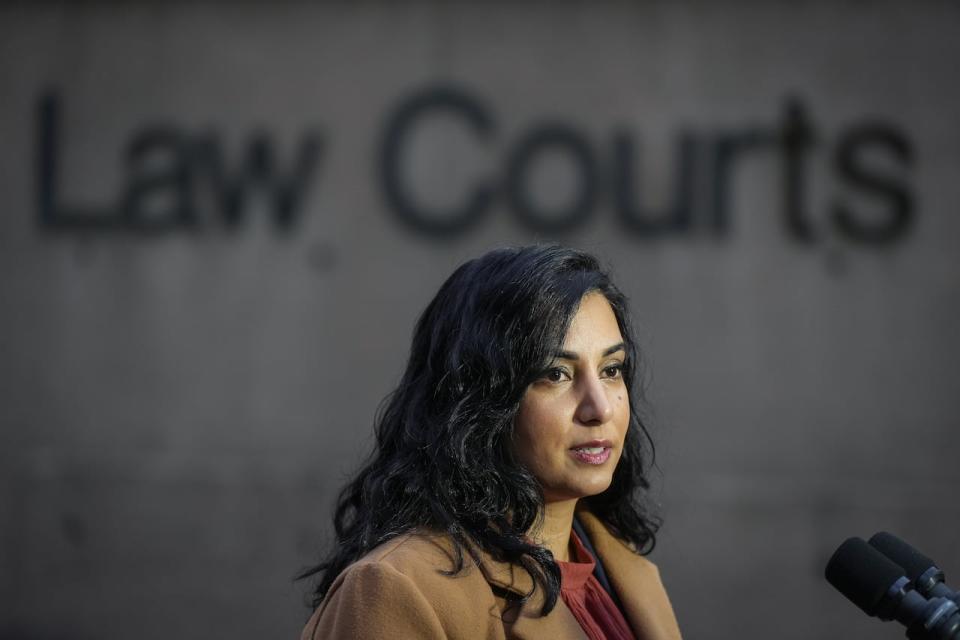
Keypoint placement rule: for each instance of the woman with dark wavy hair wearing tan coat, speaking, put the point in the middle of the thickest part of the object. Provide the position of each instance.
(504, 498)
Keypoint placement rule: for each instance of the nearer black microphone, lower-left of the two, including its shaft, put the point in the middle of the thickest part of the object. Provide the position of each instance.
(881, 589)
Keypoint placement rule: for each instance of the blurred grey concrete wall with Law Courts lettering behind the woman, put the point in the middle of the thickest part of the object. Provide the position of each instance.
(221, 220)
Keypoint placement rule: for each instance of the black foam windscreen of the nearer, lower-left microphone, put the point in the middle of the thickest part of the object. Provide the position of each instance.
(862, 574)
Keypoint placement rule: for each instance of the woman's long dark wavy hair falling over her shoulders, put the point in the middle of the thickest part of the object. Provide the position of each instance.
(443, 460)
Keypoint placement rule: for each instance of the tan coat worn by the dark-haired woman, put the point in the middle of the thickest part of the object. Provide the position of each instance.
(397, 591)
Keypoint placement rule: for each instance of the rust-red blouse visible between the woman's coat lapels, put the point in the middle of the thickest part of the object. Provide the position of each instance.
(593, 607)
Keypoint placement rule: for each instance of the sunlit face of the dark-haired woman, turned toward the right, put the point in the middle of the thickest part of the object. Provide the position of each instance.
(572, 421)
